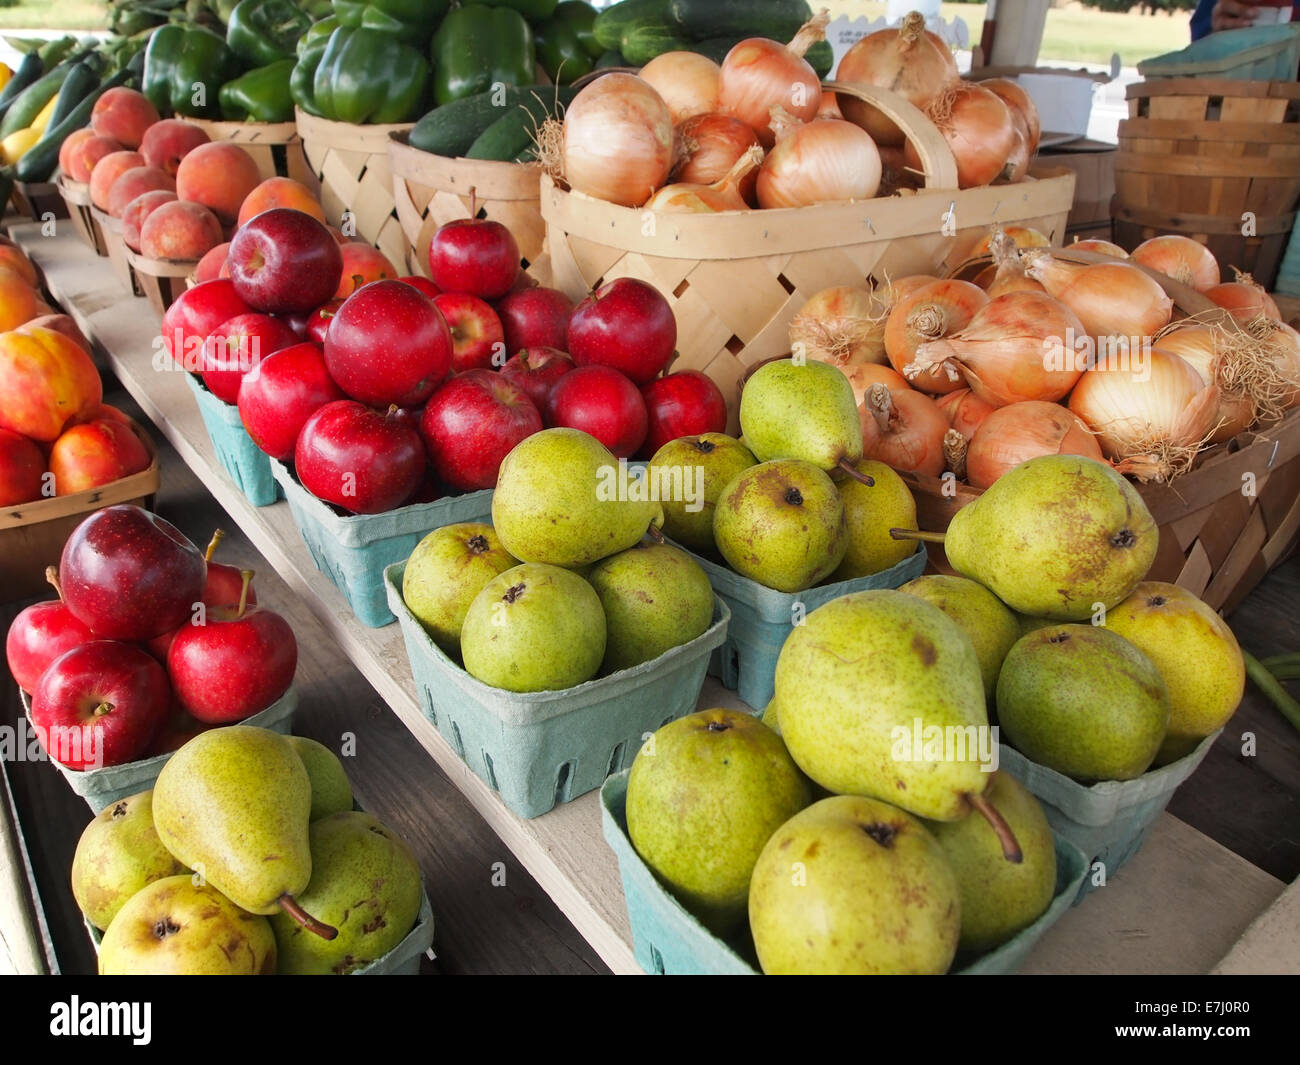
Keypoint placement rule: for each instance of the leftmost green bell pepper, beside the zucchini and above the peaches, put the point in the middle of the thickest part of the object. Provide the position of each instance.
(185, 70)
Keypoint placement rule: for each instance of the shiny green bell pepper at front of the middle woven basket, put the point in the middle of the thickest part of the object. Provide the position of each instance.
(370, 77)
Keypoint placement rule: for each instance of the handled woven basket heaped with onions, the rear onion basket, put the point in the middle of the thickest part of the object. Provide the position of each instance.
(656, 177)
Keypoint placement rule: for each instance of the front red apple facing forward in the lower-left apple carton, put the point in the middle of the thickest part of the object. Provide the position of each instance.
(101, 705)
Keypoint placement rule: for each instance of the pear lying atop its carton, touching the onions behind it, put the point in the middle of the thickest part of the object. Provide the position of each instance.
(801, 410)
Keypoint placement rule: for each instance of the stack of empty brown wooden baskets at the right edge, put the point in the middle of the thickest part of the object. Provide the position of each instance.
(1197, 155)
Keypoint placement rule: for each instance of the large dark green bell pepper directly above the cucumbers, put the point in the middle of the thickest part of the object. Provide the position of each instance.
(478, 47)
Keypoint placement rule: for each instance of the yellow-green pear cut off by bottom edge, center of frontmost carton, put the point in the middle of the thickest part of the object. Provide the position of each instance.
(855, 886)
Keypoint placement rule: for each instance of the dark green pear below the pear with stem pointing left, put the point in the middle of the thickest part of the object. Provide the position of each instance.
(1085, 702)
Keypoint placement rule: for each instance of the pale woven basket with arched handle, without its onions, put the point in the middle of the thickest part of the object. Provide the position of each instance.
(736, 279)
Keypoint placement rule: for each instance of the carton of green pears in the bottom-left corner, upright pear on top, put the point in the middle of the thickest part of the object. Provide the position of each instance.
(250, 859)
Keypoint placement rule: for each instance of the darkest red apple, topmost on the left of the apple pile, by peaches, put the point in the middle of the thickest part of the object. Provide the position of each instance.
(284, 261)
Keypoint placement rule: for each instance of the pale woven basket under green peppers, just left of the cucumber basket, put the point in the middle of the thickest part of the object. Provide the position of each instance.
(352, 164)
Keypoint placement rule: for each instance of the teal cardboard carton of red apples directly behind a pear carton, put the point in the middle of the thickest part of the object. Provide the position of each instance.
(354, 549)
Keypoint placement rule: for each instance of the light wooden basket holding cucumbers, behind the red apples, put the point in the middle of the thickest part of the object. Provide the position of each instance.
(432, 191)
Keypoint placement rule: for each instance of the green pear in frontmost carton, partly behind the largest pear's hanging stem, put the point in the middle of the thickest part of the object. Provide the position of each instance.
(1000, 899)
